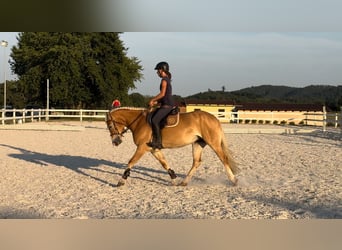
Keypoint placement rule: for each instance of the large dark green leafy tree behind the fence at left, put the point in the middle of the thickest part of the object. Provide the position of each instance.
(85, 70)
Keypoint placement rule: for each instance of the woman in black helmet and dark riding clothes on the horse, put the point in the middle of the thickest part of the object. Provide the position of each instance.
(165, 101)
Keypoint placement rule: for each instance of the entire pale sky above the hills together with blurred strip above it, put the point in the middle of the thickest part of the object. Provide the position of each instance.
(223, 43)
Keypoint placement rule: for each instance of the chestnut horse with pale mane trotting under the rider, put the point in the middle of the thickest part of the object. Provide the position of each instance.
(198, 128)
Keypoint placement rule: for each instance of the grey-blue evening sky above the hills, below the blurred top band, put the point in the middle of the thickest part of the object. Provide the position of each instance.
(234, 60)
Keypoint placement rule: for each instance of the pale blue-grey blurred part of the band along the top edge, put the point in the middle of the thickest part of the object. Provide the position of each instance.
(219, 15)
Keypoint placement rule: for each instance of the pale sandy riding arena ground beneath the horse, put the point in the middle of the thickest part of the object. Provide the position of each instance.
(72, 173)
